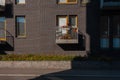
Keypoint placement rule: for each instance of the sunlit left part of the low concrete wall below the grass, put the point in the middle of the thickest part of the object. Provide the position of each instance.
(36, 64)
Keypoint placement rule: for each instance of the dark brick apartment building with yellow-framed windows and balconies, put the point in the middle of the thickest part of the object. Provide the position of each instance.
(75, 27)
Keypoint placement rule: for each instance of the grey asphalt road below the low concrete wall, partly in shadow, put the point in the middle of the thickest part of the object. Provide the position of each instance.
(51, 74)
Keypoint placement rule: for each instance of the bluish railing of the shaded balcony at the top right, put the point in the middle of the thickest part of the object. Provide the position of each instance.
(110, 3)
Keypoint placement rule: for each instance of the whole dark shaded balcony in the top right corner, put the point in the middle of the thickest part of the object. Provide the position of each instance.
(110, 4)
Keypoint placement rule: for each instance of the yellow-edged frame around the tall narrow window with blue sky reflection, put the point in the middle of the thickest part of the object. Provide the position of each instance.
(17, 34)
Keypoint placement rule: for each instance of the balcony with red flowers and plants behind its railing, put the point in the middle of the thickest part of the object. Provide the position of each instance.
(67, 35)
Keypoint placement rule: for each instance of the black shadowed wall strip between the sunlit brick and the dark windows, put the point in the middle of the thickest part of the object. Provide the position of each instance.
(92, 24)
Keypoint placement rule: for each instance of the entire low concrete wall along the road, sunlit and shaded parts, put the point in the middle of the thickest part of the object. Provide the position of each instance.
(60, 64)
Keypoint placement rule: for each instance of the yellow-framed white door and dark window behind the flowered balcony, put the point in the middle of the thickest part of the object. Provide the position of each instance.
(66, 23)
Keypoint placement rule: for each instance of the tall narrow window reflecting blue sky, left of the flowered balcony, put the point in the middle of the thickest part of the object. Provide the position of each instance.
(20, 26)
